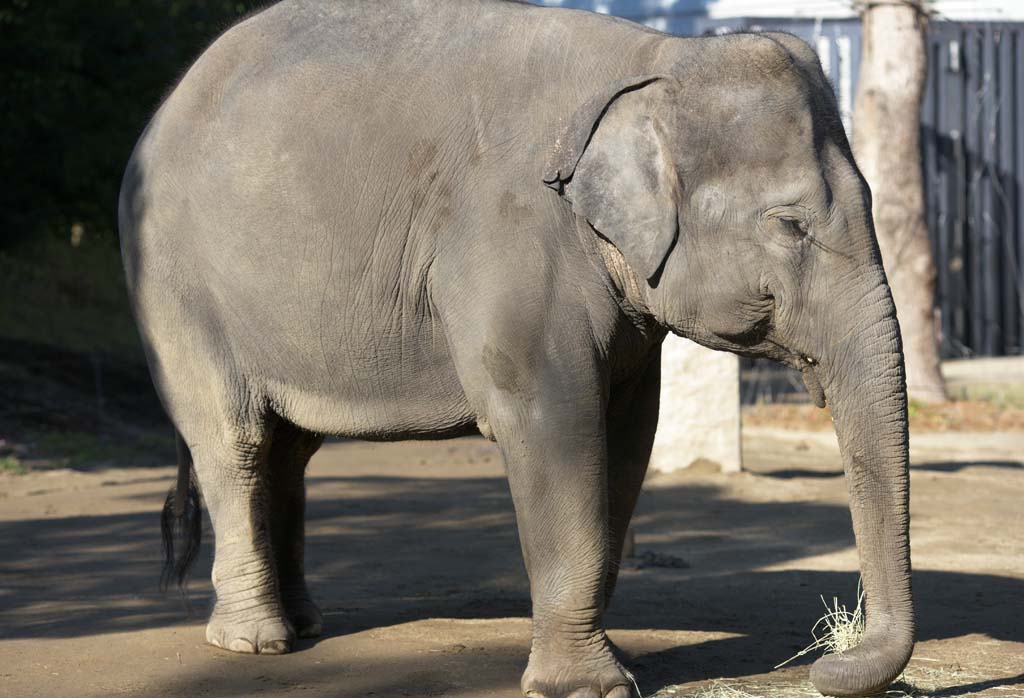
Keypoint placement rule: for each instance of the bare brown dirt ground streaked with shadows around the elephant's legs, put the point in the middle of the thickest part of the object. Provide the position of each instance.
(413, 554)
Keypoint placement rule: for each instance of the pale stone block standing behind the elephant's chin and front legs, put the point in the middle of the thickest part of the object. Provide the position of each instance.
(700, 415)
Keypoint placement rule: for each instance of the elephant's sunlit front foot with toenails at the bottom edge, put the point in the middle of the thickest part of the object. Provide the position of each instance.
(590, 672)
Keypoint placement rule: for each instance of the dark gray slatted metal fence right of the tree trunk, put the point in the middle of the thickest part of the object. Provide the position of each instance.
(973, 128)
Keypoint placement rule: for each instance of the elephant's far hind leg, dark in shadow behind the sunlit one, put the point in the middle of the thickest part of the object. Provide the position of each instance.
(290, 452)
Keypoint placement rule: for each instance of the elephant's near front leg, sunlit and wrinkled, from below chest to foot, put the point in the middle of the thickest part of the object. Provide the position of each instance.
(557, 461)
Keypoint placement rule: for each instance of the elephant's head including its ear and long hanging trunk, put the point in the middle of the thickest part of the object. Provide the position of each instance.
(729, 188)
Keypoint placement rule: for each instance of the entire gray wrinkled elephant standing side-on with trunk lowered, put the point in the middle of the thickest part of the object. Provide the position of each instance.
(399, 221)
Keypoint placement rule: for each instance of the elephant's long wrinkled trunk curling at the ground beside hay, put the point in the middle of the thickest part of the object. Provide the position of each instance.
(864, 379)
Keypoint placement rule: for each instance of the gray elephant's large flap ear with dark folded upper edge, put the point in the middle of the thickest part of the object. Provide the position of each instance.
(614, 165)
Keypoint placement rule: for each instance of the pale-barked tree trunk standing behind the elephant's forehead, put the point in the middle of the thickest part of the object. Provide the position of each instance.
(887, 145)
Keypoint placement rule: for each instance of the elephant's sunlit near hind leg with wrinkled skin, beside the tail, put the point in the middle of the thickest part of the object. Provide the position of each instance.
(232, 468)
